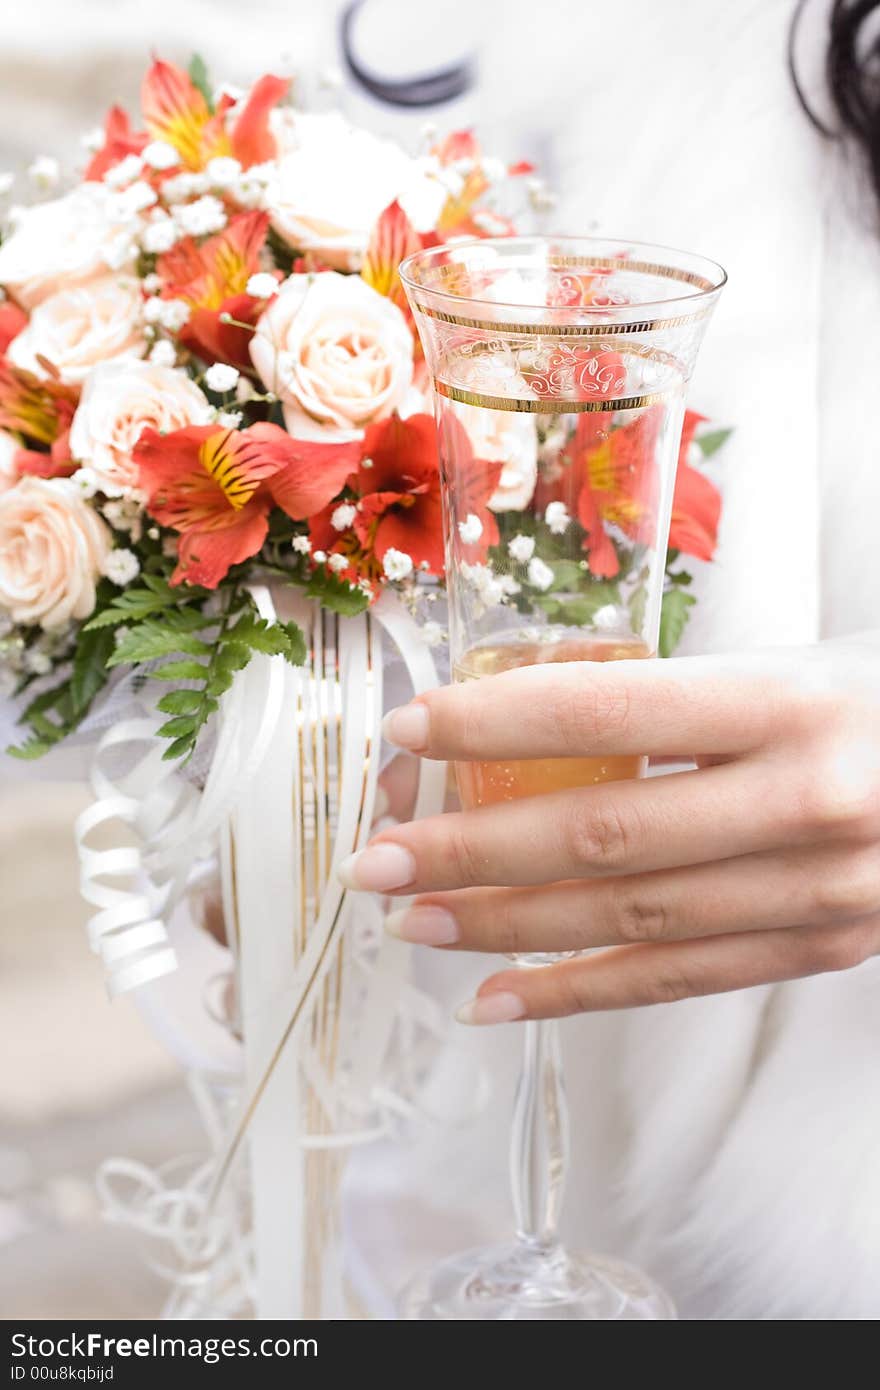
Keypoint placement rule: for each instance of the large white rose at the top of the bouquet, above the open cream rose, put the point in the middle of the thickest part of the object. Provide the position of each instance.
(334, 181)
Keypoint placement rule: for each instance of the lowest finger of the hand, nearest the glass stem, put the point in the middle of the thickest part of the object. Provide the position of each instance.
(632, 976)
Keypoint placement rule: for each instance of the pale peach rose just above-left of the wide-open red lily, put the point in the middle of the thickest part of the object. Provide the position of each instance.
(120, 400)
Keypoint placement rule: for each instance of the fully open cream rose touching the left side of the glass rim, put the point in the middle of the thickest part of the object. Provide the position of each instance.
(339, 355)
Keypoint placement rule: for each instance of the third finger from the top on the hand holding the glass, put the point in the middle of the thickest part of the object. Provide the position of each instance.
(754, 893)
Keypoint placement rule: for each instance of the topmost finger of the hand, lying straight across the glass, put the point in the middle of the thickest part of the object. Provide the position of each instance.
(703, 704)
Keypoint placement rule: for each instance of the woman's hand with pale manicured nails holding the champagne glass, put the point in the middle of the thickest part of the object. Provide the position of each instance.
(761, 865)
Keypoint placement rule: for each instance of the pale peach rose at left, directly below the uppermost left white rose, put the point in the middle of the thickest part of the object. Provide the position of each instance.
(80, 327)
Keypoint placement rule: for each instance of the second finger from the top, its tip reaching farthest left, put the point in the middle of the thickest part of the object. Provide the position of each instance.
(614, 829)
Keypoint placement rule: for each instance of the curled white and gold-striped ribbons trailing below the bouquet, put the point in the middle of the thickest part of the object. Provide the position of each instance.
(327, 800)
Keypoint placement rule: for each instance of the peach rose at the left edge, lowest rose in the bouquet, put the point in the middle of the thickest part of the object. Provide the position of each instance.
(52, 551)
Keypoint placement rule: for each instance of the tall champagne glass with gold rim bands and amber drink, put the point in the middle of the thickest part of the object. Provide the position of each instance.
(560, 370)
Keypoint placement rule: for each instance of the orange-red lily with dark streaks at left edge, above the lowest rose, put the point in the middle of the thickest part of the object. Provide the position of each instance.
(40, 412)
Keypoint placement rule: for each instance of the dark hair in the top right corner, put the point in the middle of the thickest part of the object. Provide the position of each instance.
(853, 77)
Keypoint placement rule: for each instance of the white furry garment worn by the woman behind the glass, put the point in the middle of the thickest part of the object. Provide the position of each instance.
(728, 1145)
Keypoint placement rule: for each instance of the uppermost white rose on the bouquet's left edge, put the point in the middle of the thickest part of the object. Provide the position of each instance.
(62, 244)
